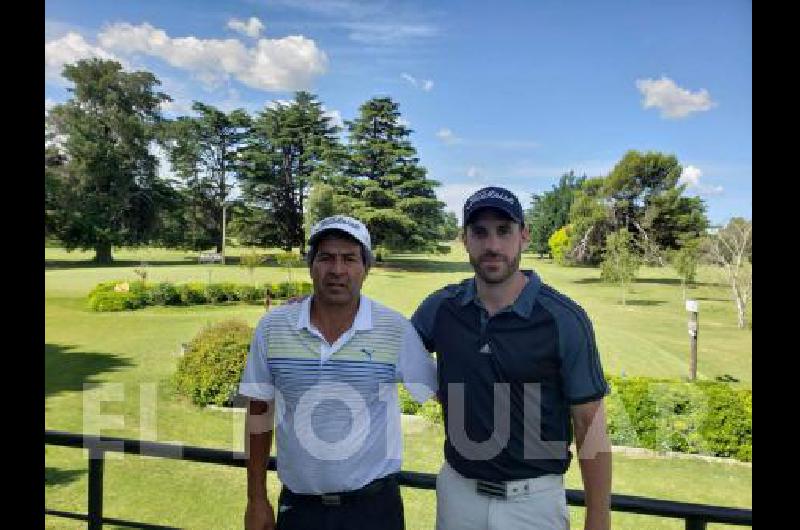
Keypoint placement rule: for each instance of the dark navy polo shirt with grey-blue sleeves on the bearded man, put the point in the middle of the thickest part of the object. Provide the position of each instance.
(506, 382)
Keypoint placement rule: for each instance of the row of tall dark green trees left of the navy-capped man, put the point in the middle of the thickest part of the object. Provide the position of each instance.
(288, 161)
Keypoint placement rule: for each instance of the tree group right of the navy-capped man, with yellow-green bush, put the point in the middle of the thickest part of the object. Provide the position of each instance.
(636, 215)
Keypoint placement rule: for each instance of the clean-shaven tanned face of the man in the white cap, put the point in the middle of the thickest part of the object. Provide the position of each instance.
(338, 271)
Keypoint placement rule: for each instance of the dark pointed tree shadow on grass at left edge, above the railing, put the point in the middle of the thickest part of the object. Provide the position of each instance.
(66, 370)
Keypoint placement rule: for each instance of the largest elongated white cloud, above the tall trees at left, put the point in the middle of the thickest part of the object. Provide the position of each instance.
(290, 63)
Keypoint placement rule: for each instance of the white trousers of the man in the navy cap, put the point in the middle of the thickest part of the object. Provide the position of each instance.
(460, 507)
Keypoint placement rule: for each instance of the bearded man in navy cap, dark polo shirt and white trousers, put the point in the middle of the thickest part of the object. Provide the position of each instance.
(518, 375)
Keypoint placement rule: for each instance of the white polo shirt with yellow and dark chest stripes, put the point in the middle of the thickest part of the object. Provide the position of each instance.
(337, 422)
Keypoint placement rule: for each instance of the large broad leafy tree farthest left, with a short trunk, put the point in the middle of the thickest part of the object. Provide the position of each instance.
(100, 177)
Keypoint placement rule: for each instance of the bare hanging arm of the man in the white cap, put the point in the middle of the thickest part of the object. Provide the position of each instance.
(258, 443)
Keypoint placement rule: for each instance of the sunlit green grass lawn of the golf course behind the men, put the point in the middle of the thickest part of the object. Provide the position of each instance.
(137, 352)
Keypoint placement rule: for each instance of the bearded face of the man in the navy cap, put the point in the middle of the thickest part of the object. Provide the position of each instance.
(494, 244)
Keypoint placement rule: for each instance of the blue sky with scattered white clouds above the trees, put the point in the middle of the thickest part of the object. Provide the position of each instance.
(506, 93)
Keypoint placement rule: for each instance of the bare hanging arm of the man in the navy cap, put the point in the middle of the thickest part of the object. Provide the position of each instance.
(594, 457)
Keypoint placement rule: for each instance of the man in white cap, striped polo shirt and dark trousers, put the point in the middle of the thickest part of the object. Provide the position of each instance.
(329, 367)
